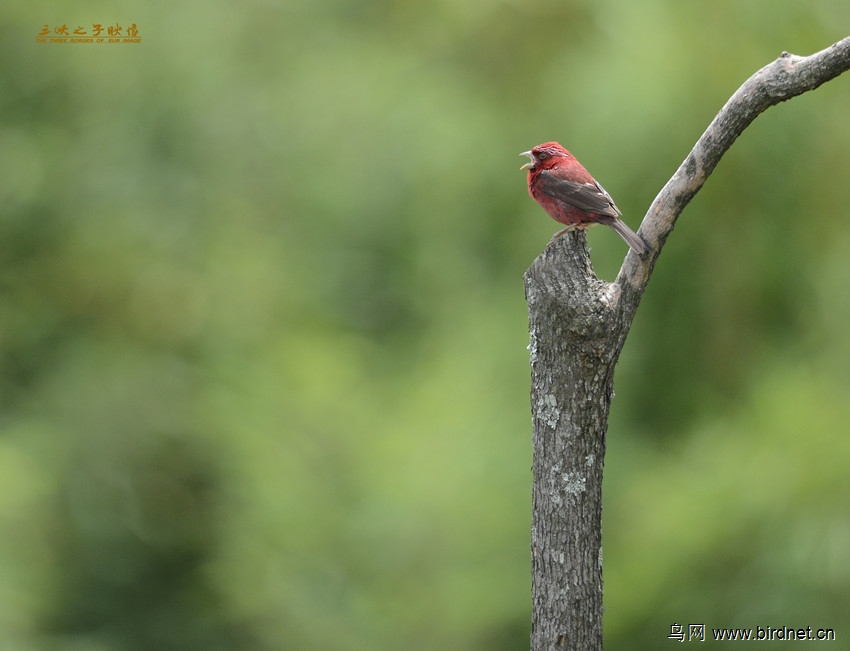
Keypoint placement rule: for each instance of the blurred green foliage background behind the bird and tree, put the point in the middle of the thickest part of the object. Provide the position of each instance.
(263, 366)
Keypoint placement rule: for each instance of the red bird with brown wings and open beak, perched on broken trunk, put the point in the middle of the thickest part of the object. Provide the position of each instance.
(567, 191)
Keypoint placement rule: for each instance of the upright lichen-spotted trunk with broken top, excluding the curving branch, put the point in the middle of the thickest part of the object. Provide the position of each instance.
(576, 338)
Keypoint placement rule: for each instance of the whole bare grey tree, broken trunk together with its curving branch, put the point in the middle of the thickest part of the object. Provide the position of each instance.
(578, 325)
